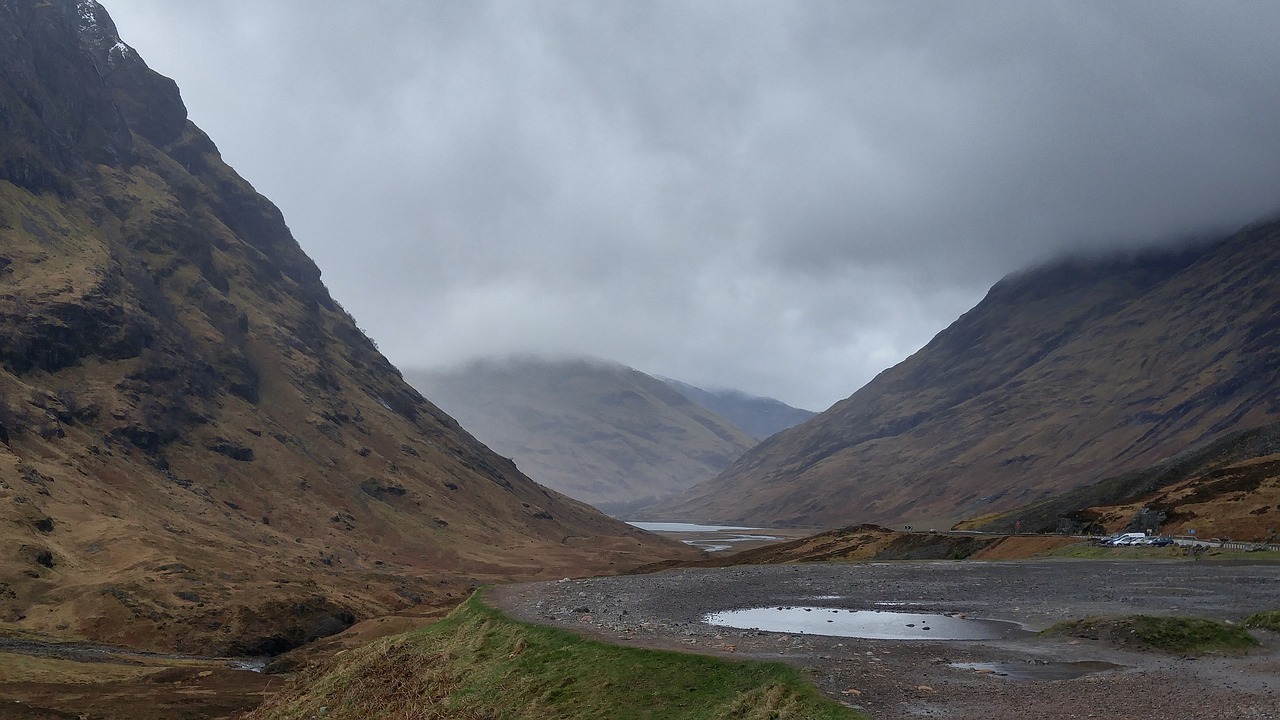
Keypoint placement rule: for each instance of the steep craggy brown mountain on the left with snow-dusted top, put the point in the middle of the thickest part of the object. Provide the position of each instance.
(199, 449)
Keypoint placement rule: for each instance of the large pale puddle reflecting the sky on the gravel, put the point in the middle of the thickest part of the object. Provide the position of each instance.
(870, 625)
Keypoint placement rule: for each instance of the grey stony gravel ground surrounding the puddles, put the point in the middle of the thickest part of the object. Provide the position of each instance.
(912, 680)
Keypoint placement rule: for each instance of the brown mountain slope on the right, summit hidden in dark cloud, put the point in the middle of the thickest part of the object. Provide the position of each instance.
(1060, 377)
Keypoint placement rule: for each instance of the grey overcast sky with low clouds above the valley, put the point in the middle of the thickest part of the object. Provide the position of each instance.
(781, 198)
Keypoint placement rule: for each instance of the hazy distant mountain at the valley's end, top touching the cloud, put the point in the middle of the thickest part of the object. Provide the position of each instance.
(597, 431)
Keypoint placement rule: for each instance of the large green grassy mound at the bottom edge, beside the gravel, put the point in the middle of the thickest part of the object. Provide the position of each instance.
(478, 664)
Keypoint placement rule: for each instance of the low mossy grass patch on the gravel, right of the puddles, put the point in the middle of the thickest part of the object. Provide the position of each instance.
(1183, 636)
